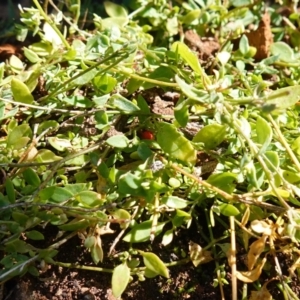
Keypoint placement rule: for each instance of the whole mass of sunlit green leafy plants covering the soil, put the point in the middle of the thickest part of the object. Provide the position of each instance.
(82, 149)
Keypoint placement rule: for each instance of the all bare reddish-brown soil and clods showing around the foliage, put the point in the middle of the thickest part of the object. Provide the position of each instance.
(186, 281)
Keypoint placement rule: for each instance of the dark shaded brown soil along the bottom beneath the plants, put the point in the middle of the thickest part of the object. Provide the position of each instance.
(57, 283)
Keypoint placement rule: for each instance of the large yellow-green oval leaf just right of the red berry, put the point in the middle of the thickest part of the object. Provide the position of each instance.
(175, 144)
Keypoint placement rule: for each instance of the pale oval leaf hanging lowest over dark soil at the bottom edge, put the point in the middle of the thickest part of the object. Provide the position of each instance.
(120, 279)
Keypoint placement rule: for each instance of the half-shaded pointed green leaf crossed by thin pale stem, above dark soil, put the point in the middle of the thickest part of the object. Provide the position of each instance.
(141, 232)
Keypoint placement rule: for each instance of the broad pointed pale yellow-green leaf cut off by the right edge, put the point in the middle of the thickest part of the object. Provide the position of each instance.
(283, 98)
